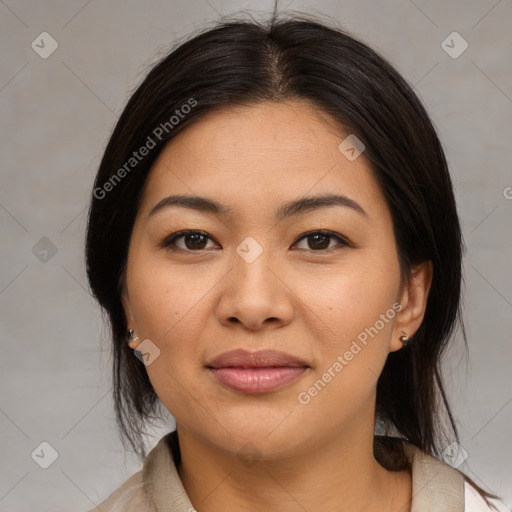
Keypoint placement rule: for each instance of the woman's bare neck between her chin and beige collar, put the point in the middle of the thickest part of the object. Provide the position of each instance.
(341, 475)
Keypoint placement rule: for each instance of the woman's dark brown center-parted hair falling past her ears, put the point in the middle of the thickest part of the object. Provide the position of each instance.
(247, 62)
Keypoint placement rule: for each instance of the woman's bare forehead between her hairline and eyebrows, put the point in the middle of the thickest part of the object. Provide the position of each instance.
(259, 155)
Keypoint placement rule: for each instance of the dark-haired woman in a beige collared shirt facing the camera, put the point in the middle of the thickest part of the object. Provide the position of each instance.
(273, 234)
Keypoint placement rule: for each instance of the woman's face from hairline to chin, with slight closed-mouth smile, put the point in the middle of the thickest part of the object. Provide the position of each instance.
(262, 278)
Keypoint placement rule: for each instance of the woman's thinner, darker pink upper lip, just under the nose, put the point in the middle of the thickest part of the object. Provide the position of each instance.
(262, 359)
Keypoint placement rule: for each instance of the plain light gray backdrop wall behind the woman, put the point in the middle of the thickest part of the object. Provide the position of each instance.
(56, 116)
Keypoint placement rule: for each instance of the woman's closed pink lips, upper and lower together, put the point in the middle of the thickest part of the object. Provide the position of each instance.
(256, 372)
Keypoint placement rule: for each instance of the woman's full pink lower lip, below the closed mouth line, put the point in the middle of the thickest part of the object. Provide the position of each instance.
(258, 380)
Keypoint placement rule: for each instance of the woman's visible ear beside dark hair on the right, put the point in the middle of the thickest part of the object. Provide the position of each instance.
(413, 299)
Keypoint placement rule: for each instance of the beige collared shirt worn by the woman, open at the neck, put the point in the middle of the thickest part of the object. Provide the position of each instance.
(436, 486)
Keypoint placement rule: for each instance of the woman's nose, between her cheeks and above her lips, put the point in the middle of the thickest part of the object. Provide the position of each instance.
(256, 293)
